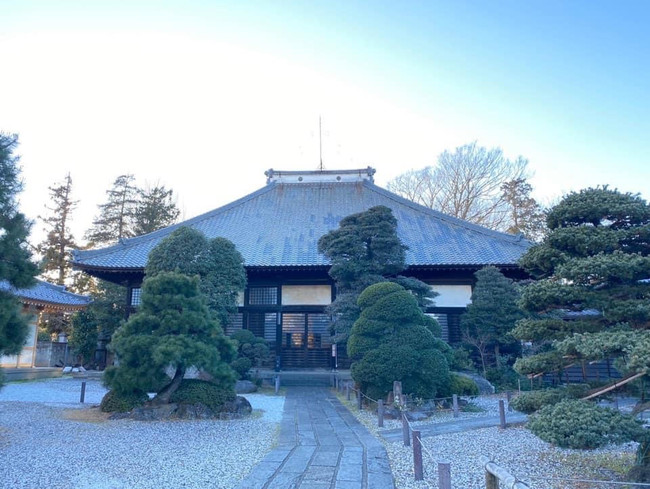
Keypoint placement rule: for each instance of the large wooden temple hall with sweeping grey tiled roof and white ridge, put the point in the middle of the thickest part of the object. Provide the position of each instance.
(276, 229)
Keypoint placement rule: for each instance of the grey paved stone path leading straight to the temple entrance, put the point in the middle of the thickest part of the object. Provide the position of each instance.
(321, 446)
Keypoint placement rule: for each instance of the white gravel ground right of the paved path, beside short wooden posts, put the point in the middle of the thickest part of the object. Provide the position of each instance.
(516, 449)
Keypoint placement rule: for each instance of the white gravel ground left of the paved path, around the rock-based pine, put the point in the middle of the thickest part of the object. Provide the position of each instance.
(42, 448)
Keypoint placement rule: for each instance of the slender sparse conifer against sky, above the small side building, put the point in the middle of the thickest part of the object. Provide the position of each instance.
(59, 242)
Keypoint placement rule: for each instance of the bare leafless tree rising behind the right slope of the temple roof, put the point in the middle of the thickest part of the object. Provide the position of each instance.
(465, 183)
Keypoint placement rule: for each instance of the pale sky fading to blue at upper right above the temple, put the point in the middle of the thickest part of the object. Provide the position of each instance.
(204, 96)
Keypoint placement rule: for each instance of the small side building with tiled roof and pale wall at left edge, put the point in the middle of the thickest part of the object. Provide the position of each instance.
(42, 297)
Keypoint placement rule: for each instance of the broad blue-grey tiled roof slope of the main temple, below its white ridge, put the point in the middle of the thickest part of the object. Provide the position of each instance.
(280, 224)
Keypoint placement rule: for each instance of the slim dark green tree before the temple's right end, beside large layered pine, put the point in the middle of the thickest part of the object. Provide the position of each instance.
(492, 314)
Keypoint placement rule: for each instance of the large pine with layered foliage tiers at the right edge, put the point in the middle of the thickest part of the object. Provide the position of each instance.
(593, 260)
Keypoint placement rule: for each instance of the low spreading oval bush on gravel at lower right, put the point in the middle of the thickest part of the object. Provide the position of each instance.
(583, 425)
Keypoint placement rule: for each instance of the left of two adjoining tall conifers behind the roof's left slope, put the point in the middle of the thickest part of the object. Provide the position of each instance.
(116, 216)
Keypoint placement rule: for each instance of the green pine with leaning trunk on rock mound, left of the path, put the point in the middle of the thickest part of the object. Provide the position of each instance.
(172, 328)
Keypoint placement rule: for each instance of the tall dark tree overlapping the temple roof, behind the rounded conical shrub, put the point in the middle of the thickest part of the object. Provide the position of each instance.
(364, 250)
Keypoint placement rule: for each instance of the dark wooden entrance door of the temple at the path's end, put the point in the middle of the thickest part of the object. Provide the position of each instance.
(305, 340)
